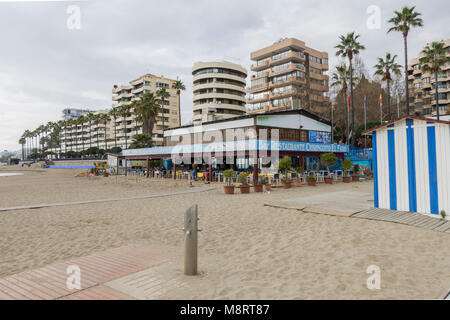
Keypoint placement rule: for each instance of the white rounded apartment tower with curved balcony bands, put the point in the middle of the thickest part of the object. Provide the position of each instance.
(219, 90)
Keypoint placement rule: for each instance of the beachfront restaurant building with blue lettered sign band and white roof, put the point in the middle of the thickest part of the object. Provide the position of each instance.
(246, 143)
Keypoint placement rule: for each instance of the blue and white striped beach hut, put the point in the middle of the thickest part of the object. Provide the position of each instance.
(411, 165)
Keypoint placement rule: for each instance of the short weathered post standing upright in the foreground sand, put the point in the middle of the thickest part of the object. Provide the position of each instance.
(190, 241)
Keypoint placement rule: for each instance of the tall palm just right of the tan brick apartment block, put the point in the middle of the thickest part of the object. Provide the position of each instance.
(350, 47)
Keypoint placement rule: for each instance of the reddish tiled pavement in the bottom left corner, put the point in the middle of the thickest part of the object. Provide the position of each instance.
(49, 282)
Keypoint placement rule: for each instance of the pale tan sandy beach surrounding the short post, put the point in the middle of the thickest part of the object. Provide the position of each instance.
(246, 250)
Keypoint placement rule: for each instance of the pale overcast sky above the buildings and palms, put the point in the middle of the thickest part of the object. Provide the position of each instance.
(47, 63)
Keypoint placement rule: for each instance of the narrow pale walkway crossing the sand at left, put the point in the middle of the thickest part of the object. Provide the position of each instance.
(57, 204)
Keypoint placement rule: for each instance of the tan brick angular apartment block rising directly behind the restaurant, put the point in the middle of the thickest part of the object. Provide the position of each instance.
(288, 76)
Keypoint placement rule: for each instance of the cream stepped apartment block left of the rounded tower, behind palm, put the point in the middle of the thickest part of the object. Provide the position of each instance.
(125, 94)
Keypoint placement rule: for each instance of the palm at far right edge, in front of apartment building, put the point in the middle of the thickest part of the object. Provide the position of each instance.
(434, 58)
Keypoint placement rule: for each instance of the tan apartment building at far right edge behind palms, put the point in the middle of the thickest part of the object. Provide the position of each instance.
(422, 86)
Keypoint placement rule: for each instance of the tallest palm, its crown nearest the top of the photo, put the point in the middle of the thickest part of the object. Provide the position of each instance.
(402, 22)
